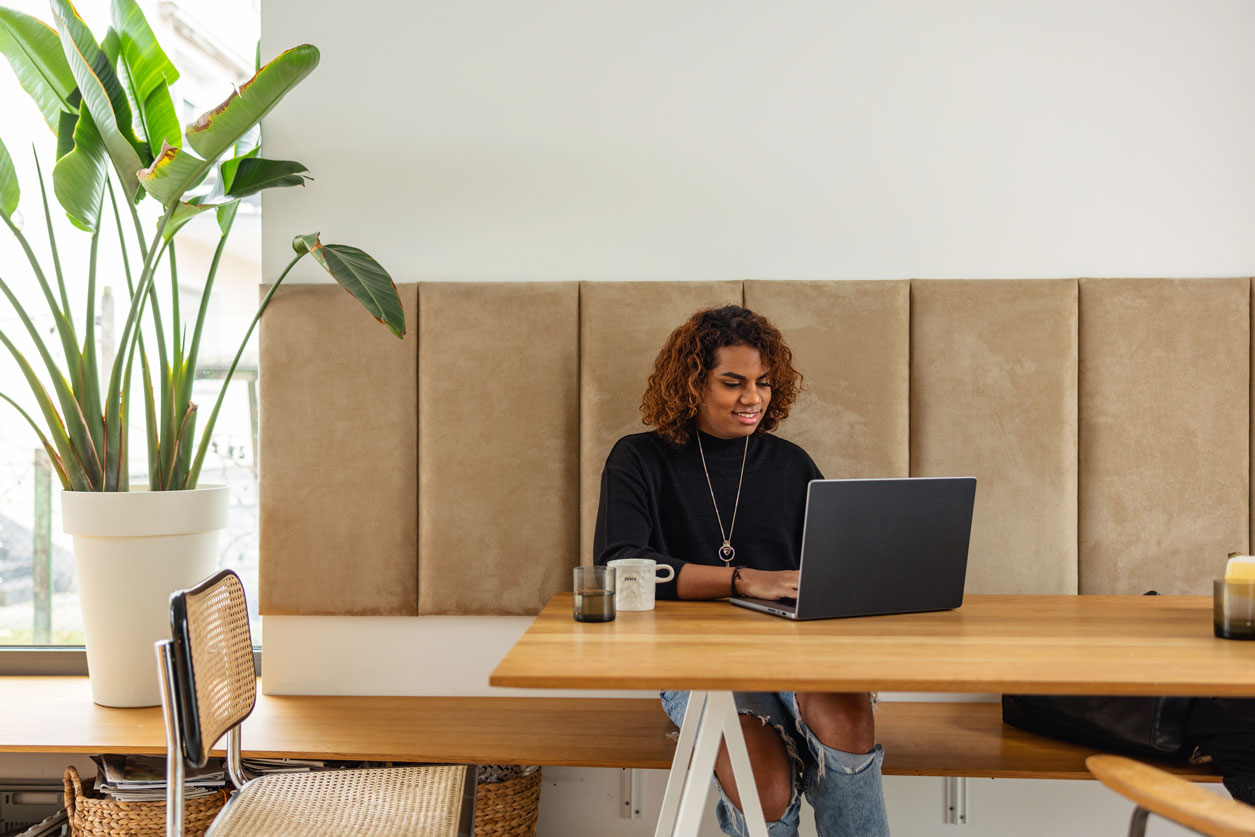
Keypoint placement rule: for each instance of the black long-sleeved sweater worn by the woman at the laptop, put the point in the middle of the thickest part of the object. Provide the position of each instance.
(656, 503)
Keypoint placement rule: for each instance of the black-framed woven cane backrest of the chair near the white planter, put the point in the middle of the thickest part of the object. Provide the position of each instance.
(214, 678)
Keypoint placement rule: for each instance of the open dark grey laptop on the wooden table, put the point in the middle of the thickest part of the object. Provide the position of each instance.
(880, 546)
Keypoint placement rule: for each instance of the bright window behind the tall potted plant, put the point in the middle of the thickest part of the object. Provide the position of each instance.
(214, 45)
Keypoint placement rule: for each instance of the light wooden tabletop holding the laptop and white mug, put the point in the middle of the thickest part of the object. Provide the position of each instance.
(1150, 646)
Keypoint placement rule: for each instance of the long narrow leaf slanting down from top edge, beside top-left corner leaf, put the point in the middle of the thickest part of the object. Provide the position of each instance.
(102, 95)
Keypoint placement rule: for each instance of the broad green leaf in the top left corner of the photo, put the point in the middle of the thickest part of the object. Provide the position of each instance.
(35, 52)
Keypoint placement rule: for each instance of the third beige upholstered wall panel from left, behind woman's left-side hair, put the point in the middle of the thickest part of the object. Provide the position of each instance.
(623, 327)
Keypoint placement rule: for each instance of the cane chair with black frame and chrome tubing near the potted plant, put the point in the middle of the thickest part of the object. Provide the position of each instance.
(210, 688)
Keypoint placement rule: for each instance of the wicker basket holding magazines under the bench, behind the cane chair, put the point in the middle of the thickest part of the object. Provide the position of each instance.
(92, 815)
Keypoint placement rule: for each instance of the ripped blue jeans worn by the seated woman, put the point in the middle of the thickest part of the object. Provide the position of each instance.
(844, 789)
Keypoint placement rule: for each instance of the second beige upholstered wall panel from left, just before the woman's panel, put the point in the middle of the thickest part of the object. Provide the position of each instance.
(499, 455)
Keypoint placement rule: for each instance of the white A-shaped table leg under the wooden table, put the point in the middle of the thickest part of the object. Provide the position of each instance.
(710, 718)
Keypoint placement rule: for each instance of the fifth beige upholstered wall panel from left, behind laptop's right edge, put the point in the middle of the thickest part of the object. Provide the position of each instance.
(995, 396)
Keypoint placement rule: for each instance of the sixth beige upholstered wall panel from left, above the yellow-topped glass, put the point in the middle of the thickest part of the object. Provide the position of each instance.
(1165, 395)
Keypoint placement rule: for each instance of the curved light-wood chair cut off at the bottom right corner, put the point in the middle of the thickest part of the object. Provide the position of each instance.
(1172, 797)
